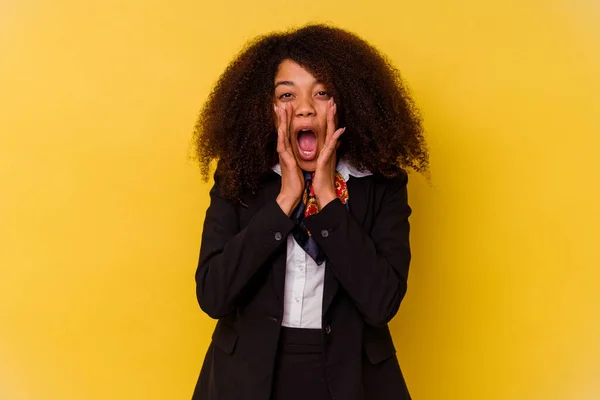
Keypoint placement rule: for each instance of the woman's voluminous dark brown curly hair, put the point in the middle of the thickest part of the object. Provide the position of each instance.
(236, 125)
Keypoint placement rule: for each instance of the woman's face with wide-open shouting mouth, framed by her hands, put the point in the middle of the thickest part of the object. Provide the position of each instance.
(308, 98)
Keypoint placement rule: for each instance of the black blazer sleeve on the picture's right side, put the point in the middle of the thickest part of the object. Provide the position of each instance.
(371, 267)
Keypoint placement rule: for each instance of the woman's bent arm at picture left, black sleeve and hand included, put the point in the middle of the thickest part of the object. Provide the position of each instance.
(230, 257)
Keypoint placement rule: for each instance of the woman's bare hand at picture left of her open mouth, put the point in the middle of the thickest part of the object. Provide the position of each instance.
(292, 179)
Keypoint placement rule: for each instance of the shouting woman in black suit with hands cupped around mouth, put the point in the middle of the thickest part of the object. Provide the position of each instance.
(305, 249)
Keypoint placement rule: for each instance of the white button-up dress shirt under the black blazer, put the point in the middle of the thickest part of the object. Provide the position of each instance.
(303, 294)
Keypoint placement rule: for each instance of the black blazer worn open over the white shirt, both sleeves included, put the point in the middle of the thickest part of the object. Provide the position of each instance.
(240, 282)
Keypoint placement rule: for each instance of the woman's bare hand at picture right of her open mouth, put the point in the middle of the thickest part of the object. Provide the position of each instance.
(323, 182)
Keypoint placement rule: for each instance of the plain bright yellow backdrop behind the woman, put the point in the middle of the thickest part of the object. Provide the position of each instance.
(101, 208)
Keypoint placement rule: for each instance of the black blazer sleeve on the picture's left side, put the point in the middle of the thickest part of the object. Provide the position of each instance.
(229, 256)
